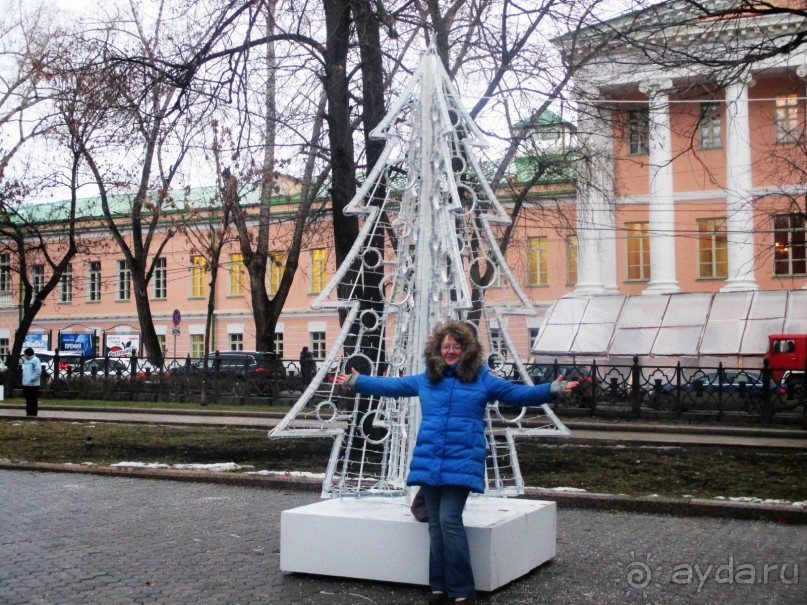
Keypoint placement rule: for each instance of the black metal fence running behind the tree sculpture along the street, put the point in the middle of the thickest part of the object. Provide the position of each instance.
(718, 393)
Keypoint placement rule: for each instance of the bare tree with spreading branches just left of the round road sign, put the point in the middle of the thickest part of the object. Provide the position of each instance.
(136, 116)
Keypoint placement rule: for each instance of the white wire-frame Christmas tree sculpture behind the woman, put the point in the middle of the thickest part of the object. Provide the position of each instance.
(428, 248)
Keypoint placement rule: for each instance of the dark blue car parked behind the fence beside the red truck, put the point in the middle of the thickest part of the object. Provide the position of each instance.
(738, 390)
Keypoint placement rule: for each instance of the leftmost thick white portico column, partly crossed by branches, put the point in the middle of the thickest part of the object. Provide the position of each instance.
(594, 201)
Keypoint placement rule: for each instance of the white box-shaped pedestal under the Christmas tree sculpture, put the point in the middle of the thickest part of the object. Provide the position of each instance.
(378, 539)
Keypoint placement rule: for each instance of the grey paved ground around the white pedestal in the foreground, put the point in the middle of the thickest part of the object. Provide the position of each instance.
(87, 539)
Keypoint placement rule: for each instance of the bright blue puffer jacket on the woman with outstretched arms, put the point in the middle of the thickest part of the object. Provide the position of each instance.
(451, 446)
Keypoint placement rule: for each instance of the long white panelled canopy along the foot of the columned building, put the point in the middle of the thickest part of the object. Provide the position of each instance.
(692, 326)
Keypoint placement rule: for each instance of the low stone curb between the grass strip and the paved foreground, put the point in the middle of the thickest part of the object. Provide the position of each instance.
(657, 505)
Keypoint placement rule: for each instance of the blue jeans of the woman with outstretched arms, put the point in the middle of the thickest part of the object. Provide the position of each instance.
(449, 556)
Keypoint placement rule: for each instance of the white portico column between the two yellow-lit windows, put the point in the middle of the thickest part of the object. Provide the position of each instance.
(662, 207)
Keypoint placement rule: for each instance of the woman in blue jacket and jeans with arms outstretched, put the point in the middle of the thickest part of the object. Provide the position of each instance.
(449, 457)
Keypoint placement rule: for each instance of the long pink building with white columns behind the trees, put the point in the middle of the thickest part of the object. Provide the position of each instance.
(696, 185)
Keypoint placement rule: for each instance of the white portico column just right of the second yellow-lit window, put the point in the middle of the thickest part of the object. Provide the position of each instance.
(739, 202)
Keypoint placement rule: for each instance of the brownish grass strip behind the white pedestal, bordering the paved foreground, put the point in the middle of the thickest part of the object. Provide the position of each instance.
(698, 471)
